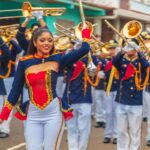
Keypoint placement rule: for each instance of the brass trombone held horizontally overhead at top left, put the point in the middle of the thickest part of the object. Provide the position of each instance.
(27, 10)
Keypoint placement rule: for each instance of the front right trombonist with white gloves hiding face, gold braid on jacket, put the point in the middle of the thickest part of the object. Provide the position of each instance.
(133, 69)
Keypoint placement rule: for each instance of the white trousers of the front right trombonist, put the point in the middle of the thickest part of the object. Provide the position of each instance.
(129, 120)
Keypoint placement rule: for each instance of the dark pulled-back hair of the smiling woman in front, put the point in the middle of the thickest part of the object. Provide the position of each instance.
(32, 49)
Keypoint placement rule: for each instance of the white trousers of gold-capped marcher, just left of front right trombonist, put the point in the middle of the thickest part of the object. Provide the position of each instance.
(111, 121)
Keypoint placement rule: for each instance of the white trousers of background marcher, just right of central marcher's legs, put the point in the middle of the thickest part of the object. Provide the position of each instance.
(100, 105)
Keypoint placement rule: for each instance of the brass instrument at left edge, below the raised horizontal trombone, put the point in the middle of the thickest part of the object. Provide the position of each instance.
(8, 32)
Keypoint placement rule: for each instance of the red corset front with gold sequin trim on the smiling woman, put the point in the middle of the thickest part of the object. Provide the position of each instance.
(39, 85)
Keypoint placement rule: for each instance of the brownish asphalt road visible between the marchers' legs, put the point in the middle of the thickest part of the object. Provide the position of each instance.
(16, 139)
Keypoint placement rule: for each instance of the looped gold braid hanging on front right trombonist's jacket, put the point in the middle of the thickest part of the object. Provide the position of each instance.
(138, 78)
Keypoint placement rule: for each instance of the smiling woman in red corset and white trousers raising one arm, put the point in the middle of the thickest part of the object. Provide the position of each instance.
(39, 71)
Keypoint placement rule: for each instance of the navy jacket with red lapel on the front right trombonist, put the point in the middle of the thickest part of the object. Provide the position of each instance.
(127, 90)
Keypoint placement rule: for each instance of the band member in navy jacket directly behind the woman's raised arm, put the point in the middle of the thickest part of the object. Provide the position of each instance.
(78, 95)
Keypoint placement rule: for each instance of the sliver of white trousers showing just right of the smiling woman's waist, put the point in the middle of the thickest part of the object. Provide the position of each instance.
(60, 87)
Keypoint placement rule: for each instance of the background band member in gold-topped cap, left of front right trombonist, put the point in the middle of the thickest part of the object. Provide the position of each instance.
(110, 105)
